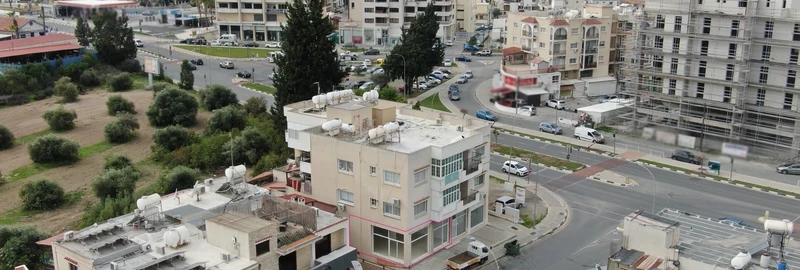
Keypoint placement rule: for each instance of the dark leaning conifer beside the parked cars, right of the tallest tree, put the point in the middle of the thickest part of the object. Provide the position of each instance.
(419, 49)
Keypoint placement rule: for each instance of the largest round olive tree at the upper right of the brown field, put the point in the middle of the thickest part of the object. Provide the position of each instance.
(172, 107)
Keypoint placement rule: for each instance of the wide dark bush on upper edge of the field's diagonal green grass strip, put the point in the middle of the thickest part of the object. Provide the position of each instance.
(51, 148)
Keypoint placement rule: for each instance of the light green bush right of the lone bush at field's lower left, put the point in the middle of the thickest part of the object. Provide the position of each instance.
(115, 183)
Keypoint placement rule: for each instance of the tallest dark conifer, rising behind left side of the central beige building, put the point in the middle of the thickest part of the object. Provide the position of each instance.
(309, 57)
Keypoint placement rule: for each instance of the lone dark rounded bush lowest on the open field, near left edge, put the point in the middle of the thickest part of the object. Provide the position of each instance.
(42, 195)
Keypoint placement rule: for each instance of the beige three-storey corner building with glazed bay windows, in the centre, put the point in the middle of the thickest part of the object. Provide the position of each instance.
(410, 182)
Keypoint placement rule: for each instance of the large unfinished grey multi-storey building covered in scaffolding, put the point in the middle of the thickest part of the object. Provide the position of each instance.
(720, 71)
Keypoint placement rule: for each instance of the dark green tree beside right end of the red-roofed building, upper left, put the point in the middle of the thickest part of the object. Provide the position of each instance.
(112, 38)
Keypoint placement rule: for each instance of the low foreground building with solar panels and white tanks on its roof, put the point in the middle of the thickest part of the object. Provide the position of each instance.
(218, 224)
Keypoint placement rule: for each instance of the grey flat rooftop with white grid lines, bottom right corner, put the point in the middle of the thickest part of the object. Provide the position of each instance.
(708, 240)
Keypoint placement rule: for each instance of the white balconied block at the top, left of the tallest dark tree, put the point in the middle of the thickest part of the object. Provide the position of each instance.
(251, 20)
